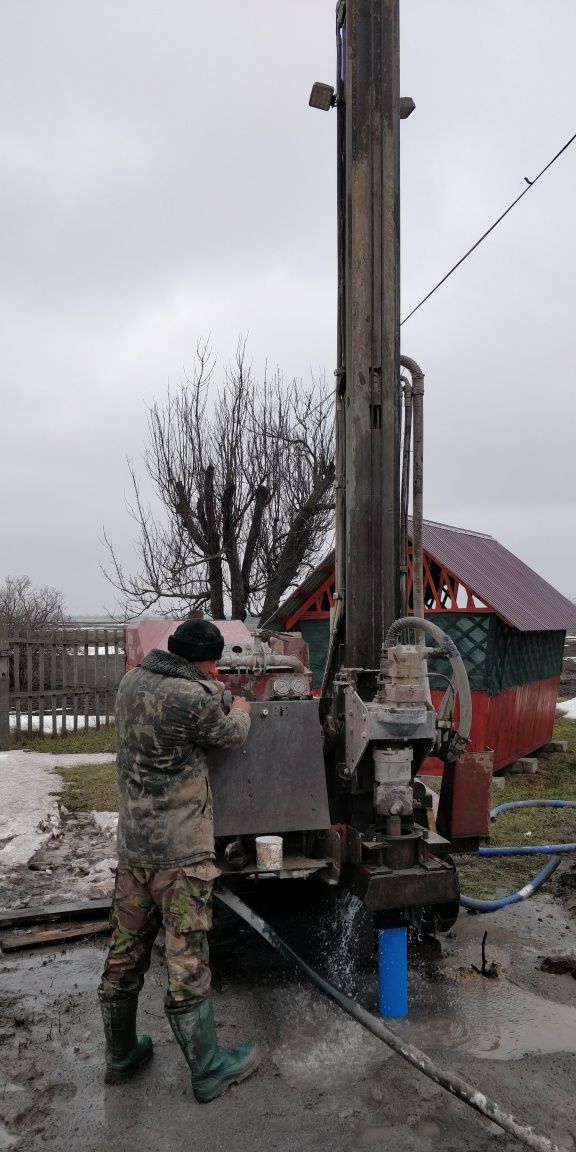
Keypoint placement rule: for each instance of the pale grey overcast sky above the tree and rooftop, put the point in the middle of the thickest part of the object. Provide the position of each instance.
(162, 178)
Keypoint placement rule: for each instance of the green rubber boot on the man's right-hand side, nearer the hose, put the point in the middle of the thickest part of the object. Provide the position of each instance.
(214, 1068)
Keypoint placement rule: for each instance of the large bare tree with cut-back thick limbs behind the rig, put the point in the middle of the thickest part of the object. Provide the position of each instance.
(245, 476)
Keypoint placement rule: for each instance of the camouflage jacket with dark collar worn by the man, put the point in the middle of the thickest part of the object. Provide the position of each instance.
(168, 718)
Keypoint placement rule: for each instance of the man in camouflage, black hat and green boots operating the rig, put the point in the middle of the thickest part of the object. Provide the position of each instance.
(169, 716)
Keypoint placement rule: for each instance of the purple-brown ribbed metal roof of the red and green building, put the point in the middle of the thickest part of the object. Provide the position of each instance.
(495, 575)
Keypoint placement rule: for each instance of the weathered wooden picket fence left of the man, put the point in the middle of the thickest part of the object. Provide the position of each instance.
(64, 680)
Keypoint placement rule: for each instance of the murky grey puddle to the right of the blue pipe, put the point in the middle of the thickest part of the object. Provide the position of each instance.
(489, 1019)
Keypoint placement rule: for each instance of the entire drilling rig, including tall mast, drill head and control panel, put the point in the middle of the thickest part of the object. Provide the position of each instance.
(337, 779)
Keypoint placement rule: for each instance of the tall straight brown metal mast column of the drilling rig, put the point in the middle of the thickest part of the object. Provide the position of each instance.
(368, 547)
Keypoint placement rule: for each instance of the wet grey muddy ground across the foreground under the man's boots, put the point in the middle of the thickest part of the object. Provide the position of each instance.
(325, 1085)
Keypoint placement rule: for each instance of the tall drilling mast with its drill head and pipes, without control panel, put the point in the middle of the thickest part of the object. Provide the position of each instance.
(376, 703)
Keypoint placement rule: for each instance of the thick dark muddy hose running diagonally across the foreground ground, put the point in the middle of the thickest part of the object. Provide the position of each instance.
(452, 1082)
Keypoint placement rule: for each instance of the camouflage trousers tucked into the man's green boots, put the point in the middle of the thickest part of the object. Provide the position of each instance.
(146, 899)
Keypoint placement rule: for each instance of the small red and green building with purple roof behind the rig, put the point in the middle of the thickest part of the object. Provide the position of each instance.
(509, 623)
